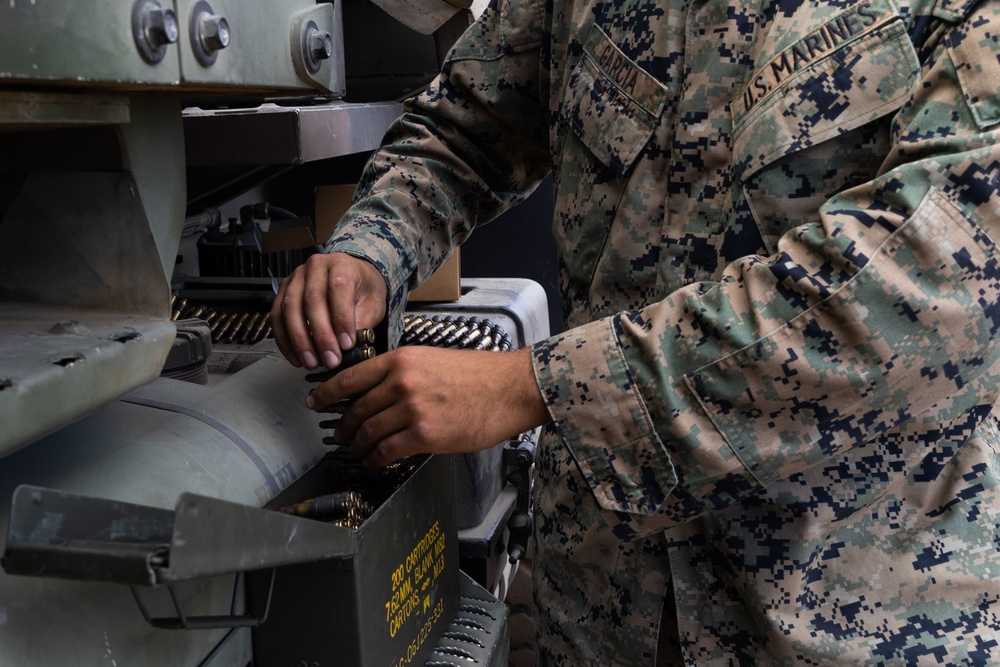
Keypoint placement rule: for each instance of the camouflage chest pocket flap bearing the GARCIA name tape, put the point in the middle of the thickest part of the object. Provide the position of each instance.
(612, 104)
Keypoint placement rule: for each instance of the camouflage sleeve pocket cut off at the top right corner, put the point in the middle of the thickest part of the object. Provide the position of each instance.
(974, 48)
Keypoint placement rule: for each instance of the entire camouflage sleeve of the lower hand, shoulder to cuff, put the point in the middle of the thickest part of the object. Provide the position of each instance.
(882, 312)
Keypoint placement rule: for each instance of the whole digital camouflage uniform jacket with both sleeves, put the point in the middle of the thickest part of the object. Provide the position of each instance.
(775, 400)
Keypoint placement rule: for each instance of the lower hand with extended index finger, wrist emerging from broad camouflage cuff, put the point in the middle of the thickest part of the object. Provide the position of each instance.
(432, 400)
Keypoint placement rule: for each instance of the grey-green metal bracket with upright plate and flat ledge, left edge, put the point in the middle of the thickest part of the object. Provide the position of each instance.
(85, 260)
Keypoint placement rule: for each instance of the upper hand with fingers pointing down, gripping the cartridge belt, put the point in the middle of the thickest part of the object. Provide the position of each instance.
(322, 304)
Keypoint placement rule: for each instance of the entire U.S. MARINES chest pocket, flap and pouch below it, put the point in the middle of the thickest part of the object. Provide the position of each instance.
(807, 125)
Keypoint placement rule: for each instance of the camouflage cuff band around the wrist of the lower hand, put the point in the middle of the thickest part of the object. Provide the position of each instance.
(598, 412)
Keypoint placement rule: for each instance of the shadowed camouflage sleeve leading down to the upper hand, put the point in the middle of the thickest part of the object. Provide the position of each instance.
(469, 147)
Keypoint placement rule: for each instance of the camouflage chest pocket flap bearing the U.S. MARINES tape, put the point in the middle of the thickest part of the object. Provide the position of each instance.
(848, 72)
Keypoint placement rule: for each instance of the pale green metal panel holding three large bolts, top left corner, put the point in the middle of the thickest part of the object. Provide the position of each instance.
(78, 42)
